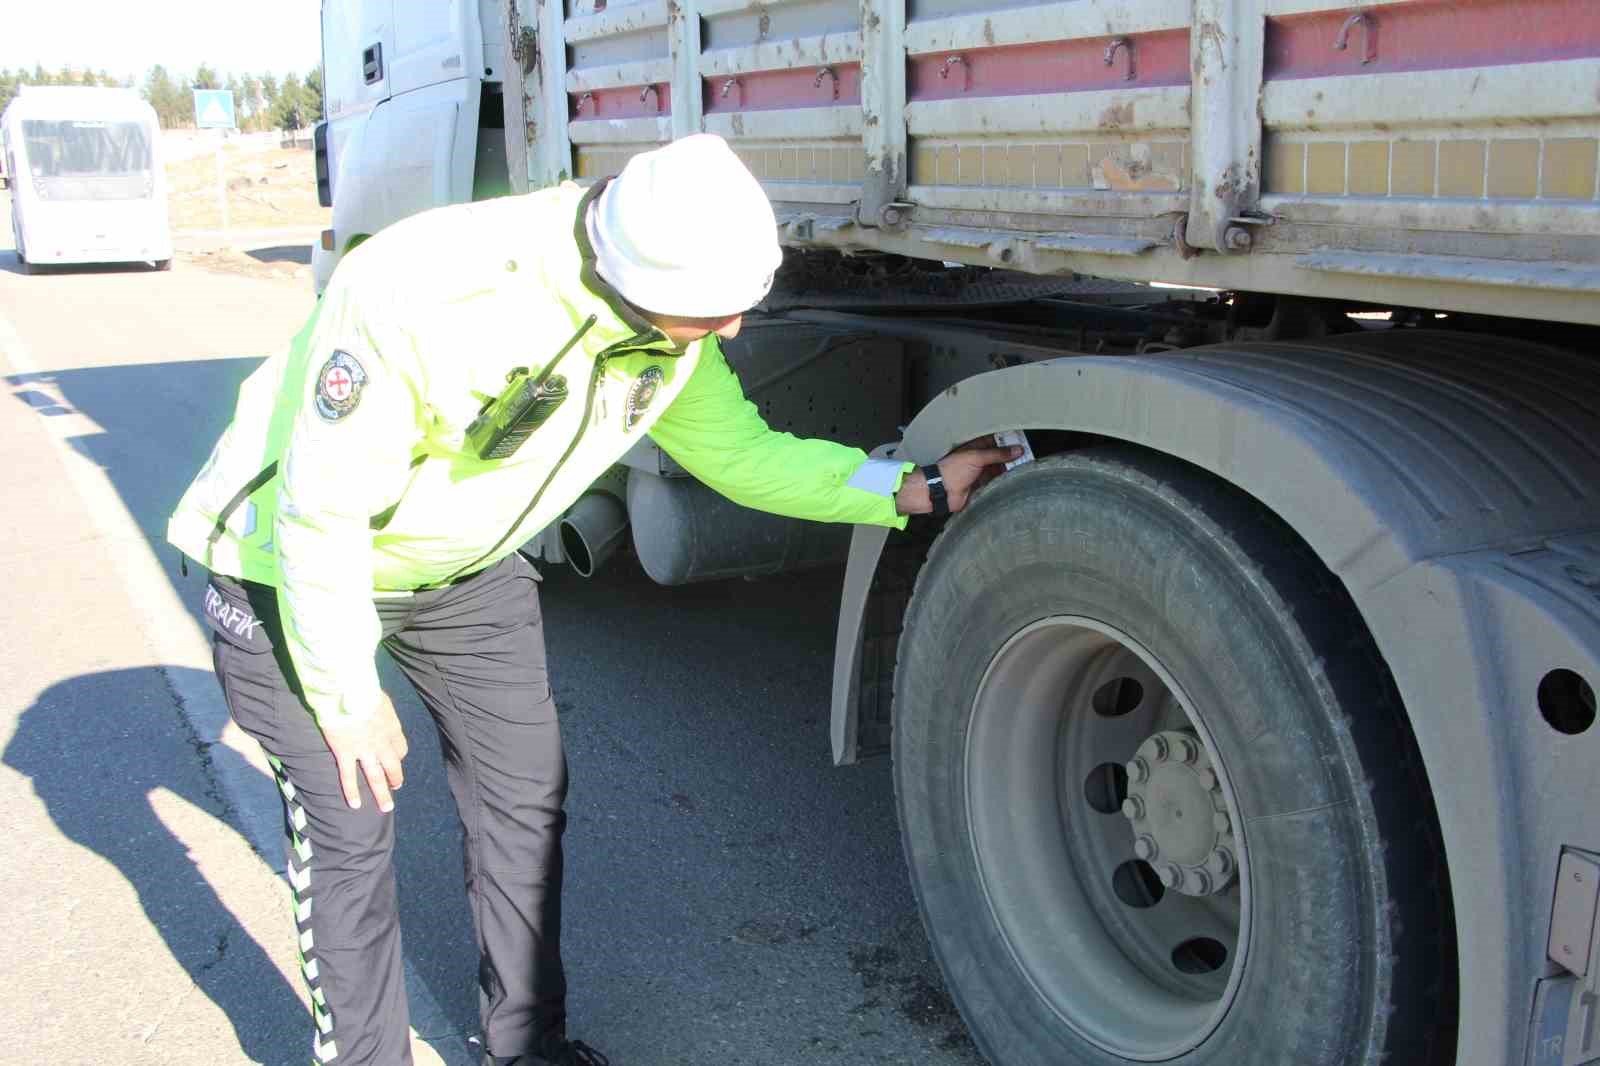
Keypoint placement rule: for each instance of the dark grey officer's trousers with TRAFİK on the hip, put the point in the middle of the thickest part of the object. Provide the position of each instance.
(476, 655)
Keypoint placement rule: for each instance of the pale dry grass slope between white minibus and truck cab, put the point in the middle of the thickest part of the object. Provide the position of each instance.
(266, 190)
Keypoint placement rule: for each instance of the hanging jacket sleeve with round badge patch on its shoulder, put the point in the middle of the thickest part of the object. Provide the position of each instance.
(348, 457)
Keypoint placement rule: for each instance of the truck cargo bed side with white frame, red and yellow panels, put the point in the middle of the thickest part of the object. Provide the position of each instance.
(1422, 153)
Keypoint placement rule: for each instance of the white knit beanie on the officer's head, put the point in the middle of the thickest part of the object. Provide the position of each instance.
(687, 231)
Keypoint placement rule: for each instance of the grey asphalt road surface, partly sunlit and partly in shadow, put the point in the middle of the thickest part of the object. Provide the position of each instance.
(732, 897)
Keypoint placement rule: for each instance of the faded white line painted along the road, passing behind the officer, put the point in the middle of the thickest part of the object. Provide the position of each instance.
(175, 641)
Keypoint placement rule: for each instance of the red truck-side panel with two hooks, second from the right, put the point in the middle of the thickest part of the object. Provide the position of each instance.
(1060, 66)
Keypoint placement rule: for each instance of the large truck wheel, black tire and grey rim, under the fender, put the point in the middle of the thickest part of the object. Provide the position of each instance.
(1159, 796)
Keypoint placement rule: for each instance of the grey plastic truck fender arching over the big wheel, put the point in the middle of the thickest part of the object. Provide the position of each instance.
(1457, 502)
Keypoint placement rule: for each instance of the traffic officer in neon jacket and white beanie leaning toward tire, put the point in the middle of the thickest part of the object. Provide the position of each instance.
(374, 487)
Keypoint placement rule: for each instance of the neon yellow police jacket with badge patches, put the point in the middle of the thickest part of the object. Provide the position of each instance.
(346, 473)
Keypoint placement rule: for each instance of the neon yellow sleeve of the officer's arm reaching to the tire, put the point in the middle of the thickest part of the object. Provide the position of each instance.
(722, 439)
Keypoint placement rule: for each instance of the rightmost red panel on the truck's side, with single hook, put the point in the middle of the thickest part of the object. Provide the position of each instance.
(1433, 36)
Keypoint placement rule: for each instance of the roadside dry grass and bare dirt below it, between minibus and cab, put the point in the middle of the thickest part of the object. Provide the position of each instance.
(266, 191)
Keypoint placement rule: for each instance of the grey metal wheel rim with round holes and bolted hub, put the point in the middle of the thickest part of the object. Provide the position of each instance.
(1138, 968)
